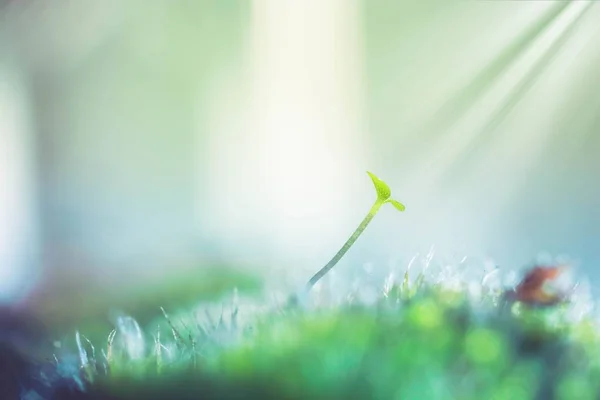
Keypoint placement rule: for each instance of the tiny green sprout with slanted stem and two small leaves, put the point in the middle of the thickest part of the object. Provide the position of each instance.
(383, 196)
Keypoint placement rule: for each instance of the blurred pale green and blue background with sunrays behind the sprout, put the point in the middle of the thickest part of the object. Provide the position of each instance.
(143, 144)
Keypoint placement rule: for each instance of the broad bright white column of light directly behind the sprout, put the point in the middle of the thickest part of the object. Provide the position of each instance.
(283, 176)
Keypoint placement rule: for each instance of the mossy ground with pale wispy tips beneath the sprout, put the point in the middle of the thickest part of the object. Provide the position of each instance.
(419, 339)
